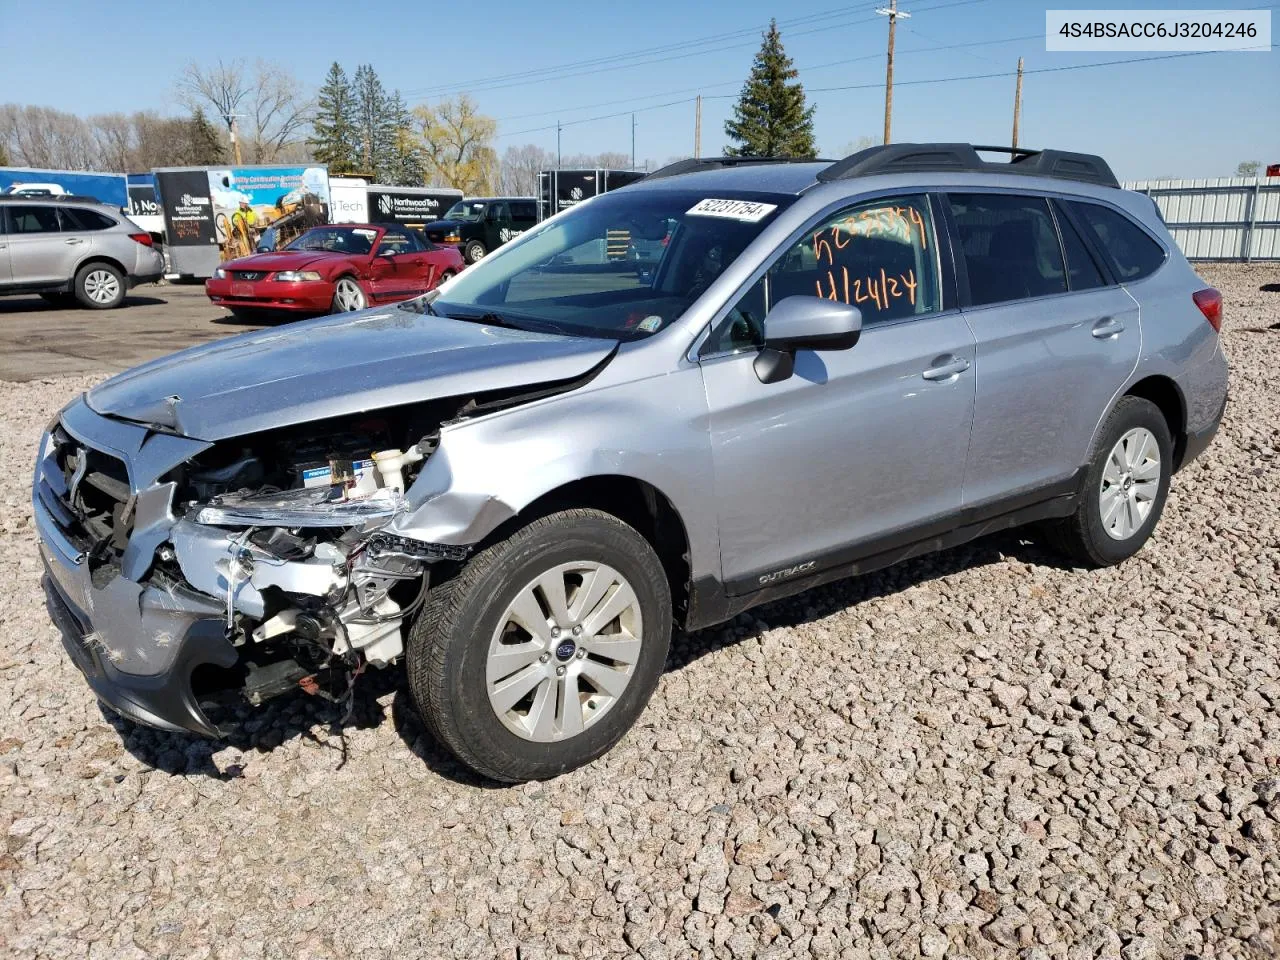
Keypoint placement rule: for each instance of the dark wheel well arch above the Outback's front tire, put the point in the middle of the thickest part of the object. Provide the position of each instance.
(639, 505)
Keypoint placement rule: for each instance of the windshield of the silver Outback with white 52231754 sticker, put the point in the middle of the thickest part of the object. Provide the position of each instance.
(624, 266)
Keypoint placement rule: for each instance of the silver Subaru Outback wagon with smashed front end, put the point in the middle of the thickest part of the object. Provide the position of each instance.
(519, 484)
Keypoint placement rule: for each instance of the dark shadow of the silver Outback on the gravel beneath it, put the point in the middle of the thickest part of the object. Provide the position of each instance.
(301, 717)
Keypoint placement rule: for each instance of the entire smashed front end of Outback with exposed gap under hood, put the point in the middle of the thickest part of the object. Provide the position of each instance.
(236, 543)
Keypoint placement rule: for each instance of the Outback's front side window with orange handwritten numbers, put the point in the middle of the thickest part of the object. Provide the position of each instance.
(879, 255)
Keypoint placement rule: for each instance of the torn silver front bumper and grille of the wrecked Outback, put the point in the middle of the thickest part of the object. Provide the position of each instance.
(176, 596)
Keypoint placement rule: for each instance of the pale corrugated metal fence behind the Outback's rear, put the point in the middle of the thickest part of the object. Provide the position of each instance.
(1231, 218)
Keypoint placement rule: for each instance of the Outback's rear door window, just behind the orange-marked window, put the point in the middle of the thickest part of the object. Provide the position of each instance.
(1009, 245)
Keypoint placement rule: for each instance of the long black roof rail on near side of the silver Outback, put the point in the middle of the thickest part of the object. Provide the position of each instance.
(963, 158)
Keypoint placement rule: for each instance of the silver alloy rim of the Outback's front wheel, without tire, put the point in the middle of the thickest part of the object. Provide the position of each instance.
(564, 652)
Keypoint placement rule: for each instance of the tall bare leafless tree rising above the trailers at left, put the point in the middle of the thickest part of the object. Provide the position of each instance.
(264, 104)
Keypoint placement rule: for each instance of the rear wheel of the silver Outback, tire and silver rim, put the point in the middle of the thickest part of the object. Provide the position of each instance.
(1124, 488)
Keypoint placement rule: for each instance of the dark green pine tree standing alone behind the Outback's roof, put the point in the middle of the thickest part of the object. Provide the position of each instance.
(771, 118)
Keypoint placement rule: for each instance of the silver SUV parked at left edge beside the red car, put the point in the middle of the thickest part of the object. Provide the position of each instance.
(74, 250)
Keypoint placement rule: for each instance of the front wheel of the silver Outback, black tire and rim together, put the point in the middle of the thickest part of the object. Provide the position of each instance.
(546, 647)
